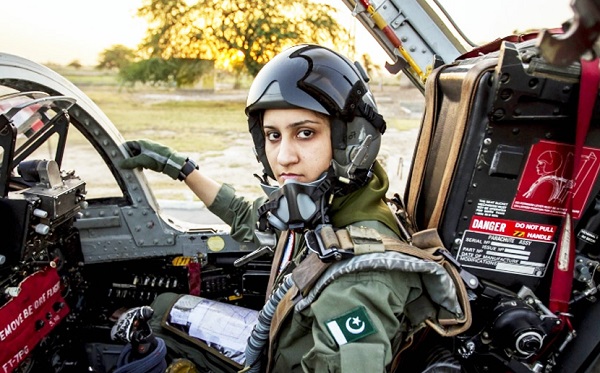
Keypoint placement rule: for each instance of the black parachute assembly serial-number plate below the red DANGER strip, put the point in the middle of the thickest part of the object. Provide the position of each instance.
(493, 252)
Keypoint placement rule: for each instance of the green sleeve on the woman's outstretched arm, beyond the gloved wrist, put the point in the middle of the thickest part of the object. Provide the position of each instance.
(238, 212)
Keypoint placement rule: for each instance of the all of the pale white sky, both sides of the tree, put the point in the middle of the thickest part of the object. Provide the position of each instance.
(60, 31)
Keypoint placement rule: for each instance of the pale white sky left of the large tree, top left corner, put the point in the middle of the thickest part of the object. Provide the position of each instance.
(61, 31)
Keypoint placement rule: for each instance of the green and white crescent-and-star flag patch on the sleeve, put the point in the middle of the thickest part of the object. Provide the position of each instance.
(351, 326)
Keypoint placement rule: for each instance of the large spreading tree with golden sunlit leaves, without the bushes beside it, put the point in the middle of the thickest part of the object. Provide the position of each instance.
(251, 31)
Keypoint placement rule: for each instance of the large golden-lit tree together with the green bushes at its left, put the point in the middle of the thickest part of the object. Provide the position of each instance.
(186, 40)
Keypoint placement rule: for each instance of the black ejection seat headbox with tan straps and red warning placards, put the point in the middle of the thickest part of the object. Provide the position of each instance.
(494, 164)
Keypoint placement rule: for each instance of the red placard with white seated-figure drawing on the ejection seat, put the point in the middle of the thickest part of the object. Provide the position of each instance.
(548, 179)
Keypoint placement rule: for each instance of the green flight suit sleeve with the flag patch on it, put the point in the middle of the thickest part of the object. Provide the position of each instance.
(382, 297)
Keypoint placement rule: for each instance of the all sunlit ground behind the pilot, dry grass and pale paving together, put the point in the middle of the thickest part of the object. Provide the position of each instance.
(211, 126)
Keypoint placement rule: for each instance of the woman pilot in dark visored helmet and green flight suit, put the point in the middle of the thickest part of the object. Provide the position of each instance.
(316, 131)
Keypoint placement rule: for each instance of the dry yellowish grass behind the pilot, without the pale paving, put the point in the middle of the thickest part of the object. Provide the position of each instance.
(178, 115)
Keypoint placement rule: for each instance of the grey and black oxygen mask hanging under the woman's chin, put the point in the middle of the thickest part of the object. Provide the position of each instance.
(296, 206)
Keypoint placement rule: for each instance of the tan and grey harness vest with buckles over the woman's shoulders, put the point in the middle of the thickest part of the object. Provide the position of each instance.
(444, 306)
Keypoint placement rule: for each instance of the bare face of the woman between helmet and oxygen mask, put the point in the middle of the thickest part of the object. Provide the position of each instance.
(297, 144)
